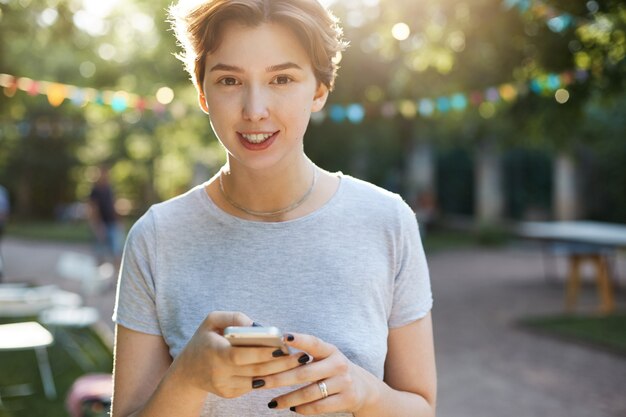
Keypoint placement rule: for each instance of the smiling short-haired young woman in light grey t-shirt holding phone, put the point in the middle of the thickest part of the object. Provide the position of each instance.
(333, 260)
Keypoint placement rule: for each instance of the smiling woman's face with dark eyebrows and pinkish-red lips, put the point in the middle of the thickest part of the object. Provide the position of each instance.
(259, 90)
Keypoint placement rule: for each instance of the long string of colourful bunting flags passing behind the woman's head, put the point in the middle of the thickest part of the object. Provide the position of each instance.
(426, 107)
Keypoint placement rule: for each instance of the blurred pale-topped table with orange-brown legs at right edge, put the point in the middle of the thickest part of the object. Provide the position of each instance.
(588, 241)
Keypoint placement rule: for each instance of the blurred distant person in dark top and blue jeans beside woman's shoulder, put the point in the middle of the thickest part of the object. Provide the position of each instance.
(103, 220)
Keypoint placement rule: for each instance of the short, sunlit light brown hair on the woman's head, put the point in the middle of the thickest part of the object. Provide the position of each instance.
(198, 28)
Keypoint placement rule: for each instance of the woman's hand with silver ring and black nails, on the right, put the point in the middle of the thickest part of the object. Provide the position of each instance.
(334, 383)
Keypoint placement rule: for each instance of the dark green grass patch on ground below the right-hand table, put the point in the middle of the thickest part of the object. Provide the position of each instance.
(606, 332)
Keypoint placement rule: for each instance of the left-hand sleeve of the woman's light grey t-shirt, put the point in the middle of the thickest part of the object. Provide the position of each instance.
(135, 304)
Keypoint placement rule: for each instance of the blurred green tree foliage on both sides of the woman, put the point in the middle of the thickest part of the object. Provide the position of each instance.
(400, 50)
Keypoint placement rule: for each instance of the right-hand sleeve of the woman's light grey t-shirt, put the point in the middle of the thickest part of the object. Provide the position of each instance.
(412, 295)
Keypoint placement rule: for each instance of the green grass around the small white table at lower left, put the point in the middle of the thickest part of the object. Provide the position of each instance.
(74, 353)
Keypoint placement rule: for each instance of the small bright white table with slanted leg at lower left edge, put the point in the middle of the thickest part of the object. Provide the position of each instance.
(31, 335)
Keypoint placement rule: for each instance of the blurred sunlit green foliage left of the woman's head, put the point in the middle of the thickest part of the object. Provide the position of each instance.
(47, 154)
